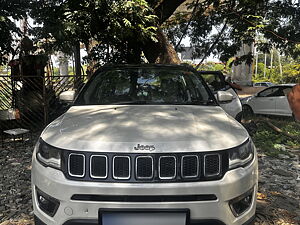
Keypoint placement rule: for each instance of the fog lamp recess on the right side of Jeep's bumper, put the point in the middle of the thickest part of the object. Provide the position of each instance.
(242, 203)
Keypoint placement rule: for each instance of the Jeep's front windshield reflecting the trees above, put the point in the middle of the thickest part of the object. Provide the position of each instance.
(144, 86)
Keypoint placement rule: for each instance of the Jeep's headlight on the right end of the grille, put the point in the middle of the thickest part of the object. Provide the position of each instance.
(242, 155)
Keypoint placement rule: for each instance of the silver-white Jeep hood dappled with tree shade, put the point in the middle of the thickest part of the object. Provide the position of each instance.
(116, 128)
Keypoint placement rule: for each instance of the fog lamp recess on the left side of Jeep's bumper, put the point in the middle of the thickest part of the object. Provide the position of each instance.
(47, 204)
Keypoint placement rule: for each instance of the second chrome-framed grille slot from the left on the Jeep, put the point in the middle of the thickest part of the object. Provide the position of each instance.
(98, 166)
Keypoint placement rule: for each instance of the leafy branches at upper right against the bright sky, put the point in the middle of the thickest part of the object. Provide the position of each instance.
(220, 27)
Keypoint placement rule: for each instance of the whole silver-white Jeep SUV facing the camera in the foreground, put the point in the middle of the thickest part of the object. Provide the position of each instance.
(145, 144)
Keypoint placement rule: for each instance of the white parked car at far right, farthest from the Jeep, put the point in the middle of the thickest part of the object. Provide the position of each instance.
(270, 101)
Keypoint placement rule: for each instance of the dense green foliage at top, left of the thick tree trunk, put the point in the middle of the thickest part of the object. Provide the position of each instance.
(117, 27)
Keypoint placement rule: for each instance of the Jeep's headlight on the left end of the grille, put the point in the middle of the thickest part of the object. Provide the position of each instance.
(48, 155)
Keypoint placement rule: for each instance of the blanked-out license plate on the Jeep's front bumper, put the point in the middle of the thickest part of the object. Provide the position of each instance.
(143, 217)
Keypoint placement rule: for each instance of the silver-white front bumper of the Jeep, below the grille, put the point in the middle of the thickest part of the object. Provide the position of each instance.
(235, 183)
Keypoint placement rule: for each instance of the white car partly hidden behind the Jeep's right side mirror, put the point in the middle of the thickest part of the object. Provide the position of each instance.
(216, 82)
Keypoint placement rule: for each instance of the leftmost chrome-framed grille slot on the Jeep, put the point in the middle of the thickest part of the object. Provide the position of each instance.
(76, 165)
